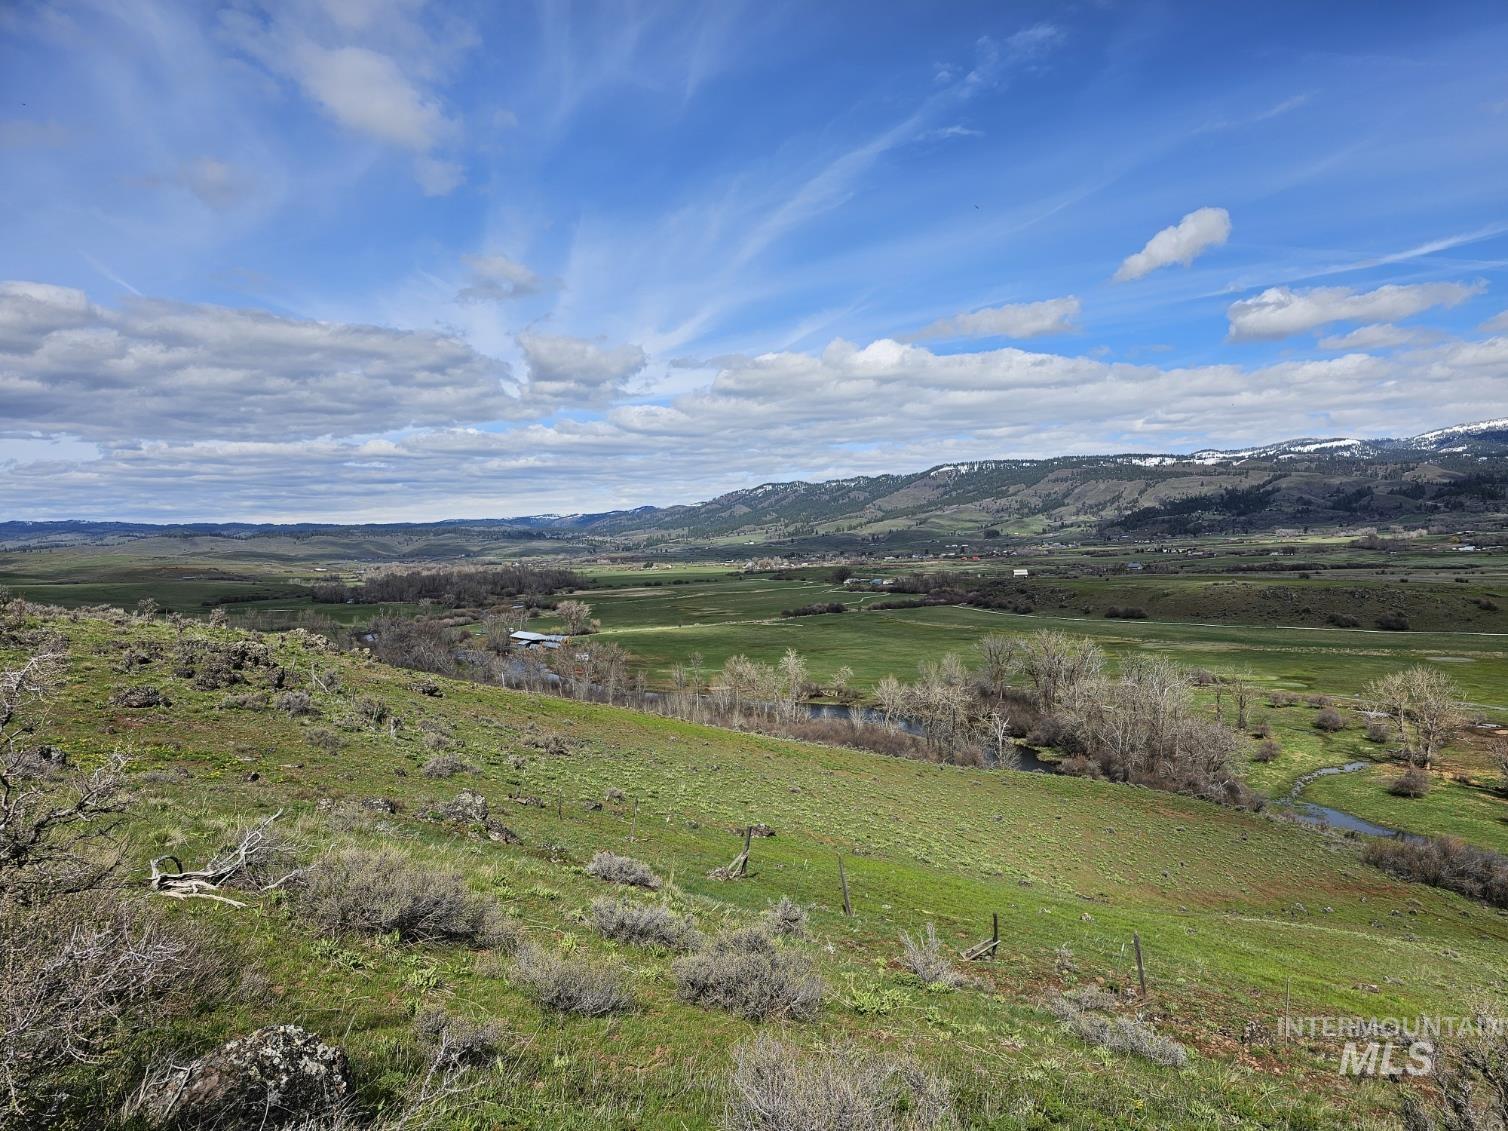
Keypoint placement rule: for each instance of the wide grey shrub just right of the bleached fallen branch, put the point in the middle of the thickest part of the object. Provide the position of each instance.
(376, 893)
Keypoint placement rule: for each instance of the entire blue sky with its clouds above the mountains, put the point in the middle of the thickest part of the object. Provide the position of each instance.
(390, 260)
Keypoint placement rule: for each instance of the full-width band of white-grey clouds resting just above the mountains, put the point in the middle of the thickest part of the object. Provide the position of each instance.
(212, 414)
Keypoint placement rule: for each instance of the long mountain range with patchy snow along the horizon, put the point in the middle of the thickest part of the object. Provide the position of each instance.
(1450, 476)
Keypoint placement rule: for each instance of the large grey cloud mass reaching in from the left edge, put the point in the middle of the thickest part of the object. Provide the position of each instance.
(162, 370)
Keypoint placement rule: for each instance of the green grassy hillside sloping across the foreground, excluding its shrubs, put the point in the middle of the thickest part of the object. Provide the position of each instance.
(1237, 912)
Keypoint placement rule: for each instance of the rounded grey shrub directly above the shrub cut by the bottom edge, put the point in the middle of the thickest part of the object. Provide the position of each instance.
(747, 975)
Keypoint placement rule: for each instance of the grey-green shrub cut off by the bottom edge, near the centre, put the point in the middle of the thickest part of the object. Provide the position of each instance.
(841, 1088)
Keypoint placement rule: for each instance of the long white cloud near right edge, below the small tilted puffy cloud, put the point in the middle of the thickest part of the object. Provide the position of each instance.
(1280, 311)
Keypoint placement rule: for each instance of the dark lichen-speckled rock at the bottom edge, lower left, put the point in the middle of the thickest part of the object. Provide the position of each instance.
(277, 1077)
